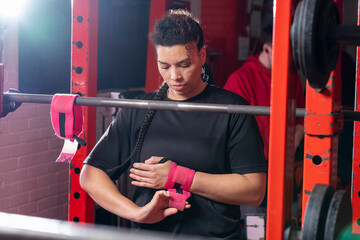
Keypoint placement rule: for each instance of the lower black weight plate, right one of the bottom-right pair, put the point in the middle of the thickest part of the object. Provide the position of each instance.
(339, 215)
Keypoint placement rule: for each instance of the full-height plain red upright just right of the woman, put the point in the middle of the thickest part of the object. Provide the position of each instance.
(282, 124)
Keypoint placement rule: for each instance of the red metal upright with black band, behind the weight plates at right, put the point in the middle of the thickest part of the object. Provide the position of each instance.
(323, 123)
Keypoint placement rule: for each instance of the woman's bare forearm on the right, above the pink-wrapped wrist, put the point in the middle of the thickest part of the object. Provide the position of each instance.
(248, 189)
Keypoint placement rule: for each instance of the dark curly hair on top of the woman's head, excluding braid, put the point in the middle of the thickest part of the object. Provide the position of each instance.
(177, 27)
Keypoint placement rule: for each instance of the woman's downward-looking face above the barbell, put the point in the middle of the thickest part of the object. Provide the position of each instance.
(180, 67)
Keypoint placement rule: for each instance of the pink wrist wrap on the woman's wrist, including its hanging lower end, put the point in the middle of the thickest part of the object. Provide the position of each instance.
(178, 184)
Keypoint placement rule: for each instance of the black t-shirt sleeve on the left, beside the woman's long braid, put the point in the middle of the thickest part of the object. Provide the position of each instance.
(113, 147)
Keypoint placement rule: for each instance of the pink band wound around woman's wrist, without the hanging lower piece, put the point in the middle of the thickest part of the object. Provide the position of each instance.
(179, 177)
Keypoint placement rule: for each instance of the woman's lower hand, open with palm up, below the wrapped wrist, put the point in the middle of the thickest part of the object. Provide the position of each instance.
(157, 209)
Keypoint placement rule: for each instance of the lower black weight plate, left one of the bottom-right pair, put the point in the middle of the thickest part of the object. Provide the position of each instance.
(316, 212)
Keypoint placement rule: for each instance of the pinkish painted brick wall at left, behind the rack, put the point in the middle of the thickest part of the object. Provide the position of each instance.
(31, 183)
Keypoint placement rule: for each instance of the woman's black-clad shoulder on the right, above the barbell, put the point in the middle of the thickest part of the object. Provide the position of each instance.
(224, 96)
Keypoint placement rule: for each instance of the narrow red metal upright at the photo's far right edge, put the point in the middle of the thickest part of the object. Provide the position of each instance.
(355, 193)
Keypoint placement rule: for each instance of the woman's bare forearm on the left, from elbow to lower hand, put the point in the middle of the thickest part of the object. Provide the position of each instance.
(104, 192)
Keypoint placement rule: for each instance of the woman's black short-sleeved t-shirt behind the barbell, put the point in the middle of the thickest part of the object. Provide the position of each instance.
(216, 143)
